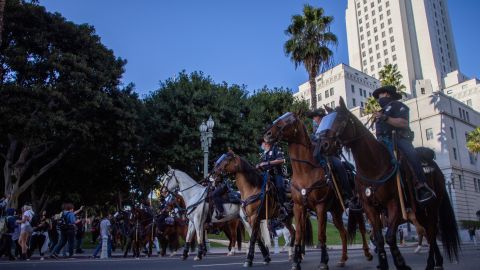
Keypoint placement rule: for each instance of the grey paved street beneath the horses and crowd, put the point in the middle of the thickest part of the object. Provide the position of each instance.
(470, 260)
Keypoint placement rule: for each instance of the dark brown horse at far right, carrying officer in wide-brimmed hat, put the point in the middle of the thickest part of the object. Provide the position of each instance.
(376, 171)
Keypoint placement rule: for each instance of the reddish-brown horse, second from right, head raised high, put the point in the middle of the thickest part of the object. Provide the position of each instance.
(310, 189)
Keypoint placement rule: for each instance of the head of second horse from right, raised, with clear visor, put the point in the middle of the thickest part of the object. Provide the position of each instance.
(287, 128)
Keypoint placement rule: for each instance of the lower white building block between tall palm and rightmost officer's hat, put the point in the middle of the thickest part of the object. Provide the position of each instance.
(341, 81)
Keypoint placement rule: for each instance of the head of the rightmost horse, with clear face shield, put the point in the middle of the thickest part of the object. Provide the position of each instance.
(338, 128)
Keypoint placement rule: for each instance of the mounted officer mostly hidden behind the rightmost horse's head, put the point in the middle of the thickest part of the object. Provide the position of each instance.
(350, 200)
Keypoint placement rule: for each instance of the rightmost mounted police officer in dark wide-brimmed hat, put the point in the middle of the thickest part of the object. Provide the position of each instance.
(395, 116)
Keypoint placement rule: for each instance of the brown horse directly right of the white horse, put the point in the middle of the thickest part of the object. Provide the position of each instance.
(257, 197)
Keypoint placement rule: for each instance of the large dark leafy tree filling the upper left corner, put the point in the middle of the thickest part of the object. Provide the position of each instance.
(58, 95)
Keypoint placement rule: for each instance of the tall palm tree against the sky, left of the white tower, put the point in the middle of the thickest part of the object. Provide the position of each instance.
(309, 44)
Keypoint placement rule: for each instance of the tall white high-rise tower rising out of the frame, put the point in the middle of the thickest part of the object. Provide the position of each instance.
(414, 34)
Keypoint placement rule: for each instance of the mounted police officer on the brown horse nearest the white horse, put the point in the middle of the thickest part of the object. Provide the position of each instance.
(272, 160)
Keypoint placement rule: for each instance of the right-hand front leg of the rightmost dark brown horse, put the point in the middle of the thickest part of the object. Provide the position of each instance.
(391, 236)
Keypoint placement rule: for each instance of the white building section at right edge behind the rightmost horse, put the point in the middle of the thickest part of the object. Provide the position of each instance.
(441, 123)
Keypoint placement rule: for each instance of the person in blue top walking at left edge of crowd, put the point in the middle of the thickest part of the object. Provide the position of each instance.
(66, 226)
